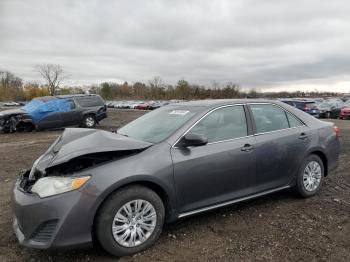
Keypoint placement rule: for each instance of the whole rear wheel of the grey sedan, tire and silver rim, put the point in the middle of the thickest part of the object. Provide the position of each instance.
(309, 185)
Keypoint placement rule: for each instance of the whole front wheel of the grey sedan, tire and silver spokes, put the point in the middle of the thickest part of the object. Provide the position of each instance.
(114, 205)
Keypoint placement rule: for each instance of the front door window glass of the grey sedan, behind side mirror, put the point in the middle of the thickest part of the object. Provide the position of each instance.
(223, 124)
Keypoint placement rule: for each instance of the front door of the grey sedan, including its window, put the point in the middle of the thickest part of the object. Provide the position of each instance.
(223, 169)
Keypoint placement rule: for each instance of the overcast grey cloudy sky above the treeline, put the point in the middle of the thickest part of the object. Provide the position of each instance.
(269, 45)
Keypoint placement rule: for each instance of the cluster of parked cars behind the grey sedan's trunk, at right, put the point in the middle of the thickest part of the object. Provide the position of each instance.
(320, 108)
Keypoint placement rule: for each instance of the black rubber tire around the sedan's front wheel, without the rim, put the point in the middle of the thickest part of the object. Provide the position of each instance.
(109, 209)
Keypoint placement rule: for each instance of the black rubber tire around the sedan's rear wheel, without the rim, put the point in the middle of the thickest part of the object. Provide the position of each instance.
(300, 184)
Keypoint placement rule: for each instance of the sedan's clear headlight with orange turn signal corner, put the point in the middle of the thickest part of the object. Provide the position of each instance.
(49, 186)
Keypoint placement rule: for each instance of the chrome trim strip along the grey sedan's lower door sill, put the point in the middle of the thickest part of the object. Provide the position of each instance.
(189, 213)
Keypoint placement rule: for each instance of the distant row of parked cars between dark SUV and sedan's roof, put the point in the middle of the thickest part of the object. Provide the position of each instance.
(143, 105)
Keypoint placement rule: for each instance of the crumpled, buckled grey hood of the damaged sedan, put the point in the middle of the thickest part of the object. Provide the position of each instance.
(76, 142)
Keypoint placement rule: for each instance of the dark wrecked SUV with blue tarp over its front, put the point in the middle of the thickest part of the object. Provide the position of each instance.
(52, 112)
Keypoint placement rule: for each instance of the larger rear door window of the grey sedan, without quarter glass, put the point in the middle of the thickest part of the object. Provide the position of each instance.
(269, 118)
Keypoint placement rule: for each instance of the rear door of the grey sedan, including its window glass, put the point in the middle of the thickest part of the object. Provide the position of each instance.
(281, 144)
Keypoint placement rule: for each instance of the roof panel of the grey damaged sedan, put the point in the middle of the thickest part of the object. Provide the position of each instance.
(218, 102)
